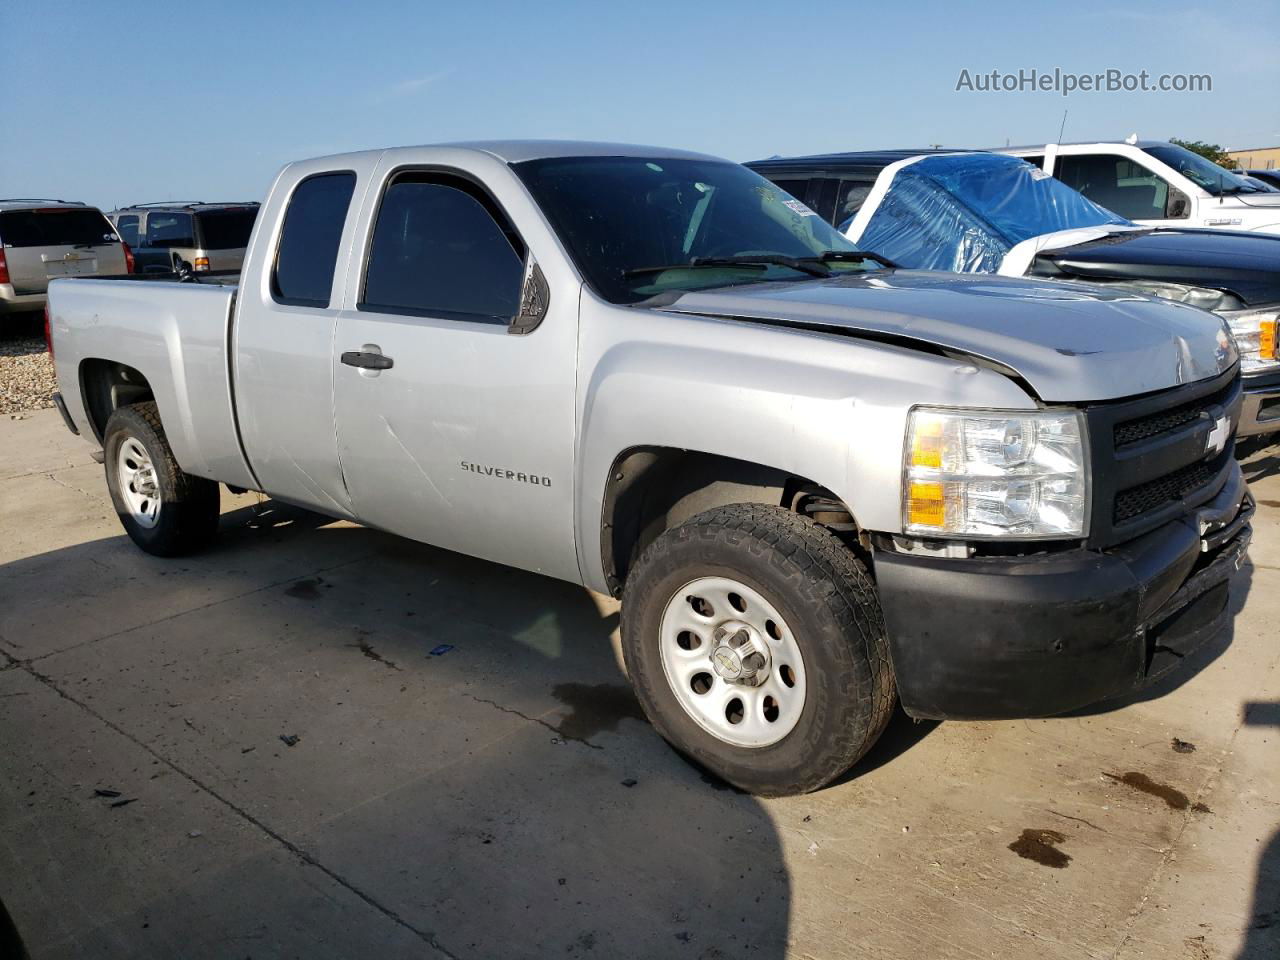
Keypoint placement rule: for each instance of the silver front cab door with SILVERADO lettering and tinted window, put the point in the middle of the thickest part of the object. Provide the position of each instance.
(454, 427)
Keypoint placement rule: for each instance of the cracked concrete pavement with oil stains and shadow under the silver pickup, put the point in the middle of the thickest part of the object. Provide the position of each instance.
(473, 779)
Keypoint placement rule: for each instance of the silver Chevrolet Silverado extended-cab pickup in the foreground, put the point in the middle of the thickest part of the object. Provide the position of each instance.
(819, 483)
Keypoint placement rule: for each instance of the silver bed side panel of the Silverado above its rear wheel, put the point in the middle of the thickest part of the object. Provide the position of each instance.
(176, 336)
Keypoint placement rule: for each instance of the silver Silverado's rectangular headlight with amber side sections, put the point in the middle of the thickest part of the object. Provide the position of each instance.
(994, 474)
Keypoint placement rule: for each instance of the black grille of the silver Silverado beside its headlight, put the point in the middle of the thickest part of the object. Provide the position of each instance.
(1153, 460)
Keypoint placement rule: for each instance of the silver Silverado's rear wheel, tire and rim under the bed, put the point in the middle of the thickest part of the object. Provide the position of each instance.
(163, 510)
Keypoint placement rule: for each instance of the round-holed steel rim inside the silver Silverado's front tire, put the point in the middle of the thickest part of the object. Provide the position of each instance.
(733, 662)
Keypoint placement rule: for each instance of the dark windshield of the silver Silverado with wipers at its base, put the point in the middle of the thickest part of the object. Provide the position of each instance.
(639, 227)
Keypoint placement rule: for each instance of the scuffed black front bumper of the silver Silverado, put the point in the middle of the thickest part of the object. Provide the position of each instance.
(1034, 637)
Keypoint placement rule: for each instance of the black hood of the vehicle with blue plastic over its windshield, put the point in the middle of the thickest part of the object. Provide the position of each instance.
(1245, 264)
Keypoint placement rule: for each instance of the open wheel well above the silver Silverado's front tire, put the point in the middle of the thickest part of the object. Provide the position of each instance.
(652, 490)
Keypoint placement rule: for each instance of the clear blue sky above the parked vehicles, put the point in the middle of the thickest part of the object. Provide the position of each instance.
(131, 102)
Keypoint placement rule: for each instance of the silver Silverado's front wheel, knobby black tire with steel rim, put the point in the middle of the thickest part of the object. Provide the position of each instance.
(757, 646)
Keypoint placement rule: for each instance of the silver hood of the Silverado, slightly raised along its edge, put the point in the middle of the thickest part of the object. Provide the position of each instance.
(1069, 342)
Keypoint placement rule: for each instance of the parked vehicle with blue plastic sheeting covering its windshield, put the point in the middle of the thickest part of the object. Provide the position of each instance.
(988, 213)
